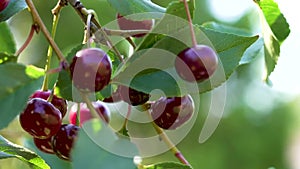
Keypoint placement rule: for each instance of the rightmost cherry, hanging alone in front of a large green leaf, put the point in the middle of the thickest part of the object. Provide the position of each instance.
(197, 63)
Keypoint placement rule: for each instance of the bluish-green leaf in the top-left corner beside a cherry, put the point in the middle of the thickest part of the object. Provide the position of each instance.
(13, 8)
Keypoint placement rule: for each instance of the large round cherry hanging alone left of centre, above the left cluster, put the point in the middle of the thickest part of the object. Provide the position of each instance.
(91, 69)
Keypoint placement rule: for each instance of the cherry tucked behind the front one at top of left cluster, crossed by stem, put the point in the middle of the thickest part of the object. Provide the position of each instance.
(59, 103)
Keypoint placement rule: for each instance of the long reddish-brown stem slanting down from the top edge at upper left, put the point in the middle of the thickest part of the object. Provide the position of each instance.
(37, 19)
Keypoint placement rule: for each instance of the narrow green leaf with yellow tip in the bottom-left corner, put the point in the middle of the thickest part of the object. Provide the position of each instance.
(10, 150)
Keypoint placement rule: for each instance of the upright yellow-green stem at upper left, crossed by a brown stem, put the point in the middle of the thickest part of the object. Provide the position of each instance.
(56, 14)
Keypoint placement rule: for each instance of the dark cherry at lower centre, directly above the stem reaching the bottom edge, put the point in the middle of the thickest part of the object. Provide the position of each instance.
(172, 112)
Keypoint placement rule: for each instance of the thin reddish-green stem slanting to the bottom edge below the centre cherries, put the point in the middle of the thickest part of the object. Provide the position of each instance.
(170, 144)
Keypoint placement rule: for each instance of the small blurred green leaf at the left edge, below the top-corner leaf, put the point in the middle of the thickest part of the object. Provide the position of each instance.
(7, 43)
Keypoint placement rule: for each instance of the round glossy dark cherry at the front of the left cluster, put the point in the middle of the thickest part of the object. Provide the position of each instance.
(40, 118)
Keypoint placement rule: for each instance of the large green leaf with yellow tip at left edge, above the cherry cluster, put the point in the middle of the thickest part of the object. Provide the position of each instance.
(17, 83)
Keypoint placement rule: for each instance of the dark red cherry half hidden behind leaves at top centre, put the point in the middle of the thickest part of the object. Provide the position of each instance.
(126, 24)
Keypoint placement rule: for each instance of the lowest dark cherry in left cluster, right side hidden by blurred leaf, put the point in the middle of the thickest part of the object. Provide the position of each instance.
(62, 142)
